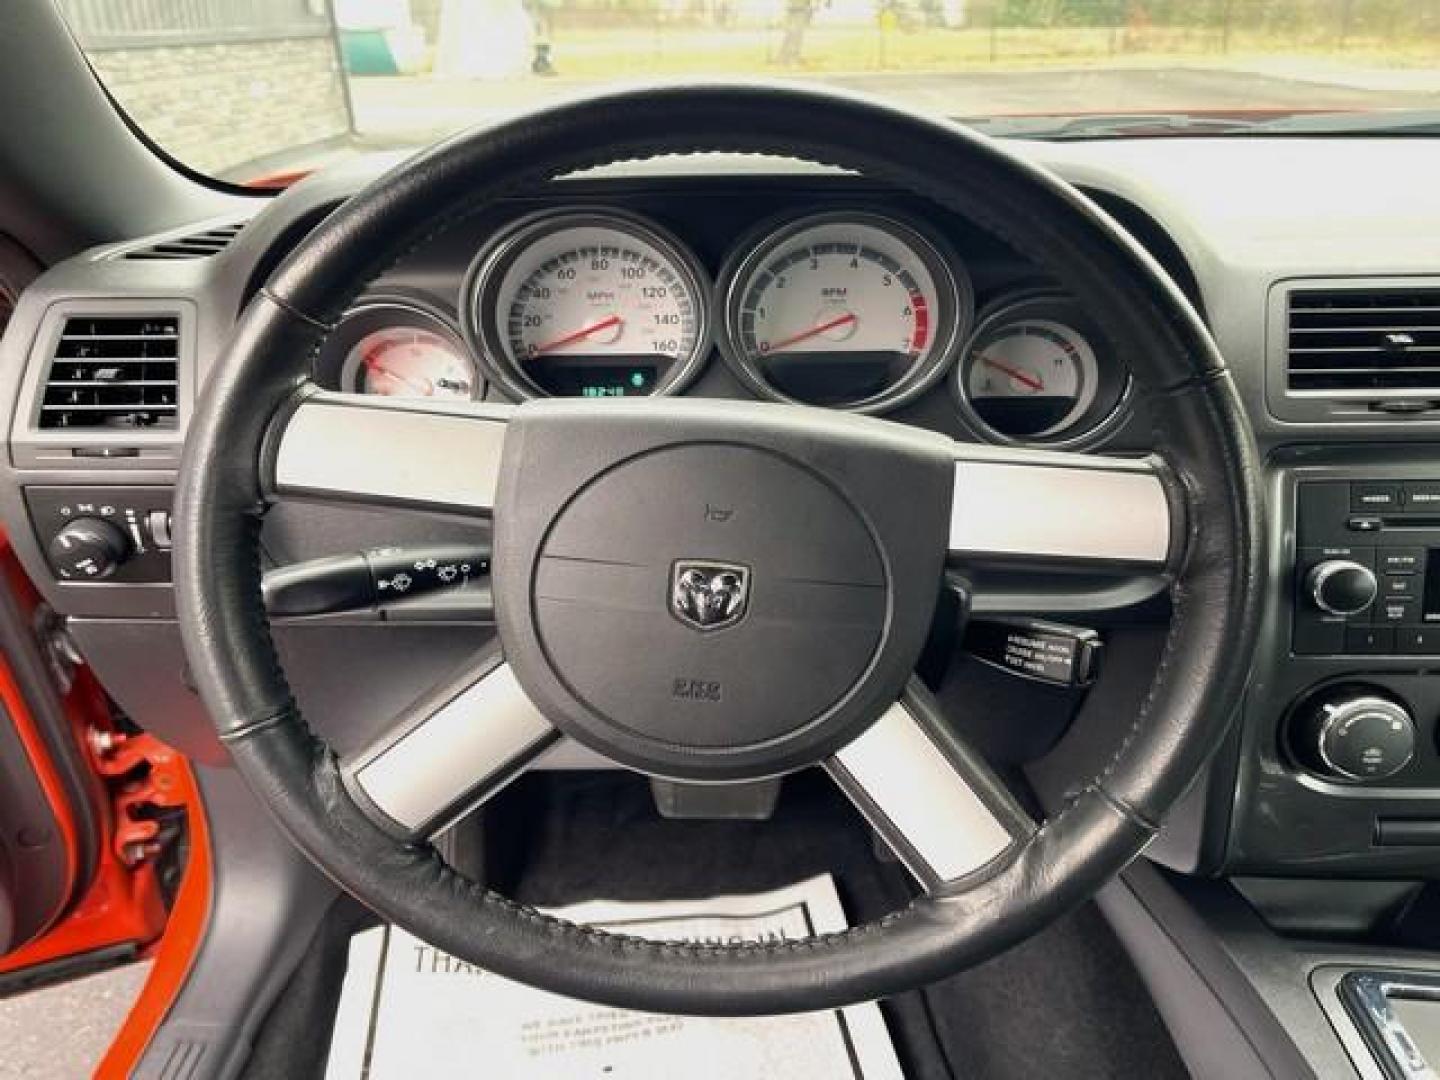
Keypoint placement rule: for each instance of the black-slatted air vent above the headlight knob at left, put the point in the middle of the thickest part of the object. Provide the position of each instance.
(114, 372)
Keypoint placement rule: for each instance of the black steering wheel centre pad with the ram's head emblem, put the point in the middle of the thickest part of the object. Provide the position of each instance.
(716, 594)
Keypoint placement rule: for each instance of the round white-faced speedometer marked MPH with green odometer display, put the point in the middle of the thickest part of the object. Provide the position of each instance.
(588, 305)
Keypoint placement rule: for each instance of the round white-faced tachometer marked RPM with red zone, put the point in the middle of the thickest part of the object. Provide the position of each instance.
(846, 309)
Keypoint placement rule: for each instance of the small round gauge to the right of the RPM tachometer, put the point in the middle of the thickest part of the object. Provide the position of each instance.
(1033, 374)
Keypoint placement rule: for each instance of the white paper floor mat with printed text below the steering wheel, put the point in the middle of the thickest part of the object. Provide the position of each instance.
(410, 1012)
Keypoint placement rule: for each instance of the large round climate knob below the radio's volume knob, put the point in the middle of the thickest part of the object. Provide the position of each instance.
(1356, 737)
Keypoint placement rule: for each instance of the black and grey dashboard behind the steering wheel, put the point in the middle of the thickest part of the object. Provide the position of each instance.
(1313, 261)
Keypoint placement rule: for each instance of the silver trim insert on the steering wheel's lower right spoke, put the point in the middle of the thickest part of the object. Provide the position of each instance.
(914, 796)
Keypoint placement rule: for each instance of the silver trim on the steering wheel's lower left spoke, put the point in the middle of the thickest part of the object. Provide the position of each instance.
(460, 755)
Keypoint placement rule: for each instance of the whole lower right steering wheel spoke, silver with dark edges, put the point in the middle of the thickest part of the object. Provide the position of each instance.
(935, 803)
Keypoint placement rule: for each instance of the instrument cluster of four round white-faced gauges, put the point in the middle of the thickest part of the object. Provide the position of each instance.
(847, 309)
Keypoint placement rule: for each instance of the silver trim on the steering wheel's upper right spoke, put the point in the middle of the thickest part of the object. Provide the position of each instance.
(1058, 506)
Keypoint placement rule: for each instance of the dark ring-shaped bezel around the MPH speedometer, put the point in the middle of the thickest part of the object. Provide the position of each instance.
(487, 273)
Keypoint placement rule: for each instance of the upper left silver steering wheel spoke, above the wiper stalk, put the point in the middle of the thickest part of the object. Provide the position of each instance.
(388, 453)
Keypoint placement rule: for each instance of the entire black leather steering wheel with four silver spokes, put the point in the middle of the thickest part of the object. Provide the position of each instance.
(822, 570)
